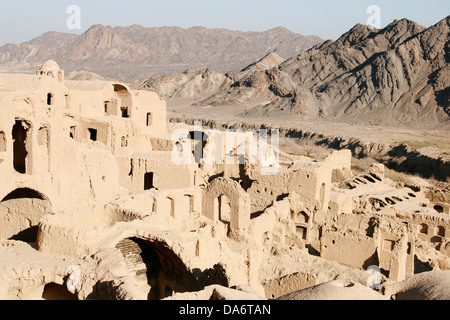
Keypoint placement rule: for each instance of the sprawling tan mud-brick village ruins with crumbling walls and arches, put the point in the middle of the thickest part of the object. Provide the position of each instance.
(93, 205)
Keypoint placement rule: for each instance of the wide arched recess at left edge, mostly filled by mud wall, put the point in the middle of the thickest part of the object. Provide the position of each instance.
(20, 213)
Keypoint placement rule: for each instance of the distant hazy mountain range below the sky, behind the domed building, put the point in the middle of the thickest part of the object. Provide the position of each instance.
(136, 52)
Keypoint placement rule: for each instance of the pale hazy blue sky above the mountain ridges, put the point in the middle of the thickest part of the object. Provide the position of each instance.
(22, 20)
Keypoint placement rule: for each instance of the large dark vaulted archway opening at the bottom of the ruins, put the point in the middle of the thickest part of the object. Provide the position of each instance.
(158, 270)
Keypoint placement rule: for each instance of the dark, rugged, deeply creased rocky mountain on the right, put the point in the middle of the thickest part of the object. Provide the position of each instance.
(397, 76)
